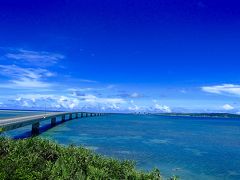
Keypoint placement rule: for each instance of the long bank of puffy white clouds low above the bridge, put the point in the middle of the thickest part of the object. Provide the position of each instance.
(86, 102)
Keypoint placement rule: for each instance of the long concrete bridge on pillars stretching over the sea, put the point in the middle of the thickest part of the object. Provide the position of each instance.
(35, 120)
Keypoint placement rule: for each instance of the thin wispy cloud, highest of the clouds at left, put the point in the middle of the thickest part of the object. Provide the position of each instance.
(36, 58)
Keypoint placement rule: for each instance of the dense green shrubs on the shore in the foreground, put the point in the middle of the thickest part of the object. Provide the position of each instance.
(36, 158)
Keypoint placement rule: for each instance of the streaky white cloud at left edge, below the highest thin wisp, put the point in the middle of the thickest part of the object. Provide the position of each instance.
(24, 77)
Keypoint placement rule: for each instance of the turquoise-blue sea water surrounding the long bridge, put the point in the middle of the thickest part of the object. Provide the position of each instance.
(190, 147)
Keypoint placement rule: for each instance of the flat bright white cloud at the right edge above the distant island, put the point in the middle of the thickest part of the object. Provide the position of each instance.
(223, 89)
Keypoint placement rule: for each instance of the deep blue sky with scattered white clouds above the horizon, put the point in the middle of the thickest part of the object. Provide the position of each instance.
(120, 56)
